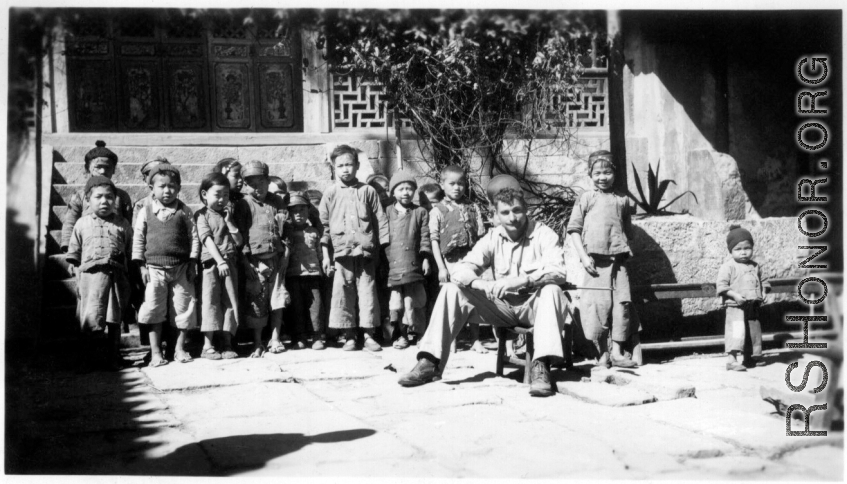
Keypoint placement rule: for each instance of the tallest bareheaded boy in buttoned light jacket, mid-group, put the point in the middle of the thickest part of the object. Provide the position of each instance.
(355, 227)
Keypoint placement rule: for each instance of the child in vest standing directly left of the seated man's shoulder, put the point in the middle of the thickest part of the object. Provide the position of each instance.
(455, 225)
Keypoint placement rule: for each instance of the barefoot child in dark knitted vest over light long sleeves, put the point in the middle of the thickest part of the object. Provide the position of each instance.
(166, 249)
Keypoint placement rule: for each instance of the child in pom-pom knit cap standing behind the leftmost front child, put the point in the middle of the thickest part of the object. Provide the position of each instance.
(99, 161)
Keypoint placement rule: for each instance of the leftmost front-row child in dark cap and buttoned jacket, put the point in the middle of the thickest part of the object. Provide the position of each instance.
(99, 246)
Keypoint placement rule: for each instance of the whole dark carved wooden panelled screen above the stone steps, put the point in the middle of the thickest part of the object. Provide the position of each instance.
(173, 70)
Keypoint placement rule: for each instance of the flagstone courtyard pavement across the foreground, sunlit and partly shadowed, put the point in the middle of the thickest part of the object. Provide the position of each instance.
(336, 413)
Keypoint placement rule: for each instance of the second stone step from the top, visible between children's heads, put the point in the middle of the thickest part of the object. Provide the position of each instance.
(130, 173)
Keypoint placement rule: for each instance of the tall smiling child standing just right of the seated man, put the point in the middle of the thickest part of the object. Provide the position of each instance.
(601, 228)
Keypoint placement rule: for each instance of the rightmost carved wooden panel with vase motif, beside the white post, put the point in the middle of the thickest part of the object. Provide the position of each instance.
(276, 97)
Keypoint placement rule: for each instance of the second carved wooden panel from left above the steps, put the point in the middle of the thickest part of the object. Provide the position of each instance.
(140, 107)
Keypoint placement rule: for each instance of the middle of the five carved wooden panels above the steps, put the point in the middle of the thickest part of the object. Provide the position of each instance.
(187, 101)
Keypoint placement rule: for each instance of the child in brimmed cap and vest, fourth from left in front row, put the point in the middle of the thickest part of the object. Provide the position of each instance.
(259, 217)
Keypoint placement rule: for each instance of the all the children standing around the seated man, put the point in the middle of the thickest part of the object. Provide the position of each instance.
(263, 256)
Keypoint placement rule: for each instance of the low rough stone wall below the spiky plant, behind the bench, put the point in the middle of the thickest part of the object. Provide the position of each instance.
(684, 249)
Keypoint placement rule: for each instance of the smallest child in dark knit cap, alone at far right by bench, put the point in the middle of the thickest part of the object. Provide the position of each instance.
(742, 287)
